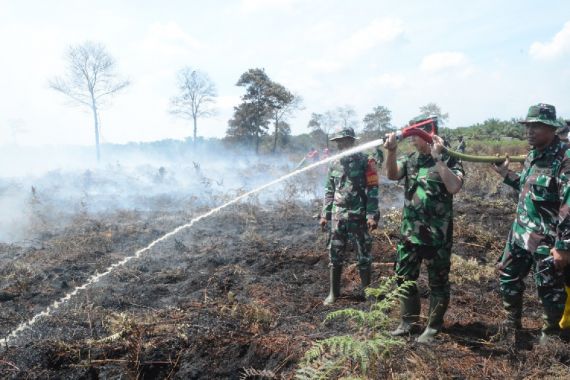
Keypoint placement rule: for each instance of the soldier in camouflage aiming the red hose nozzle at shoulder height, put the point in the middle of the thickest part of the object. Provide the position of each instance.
(430, 180)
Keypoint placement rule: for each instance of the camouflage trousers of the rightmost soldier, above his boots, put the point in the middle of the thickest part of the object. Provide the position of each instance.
(515, 264)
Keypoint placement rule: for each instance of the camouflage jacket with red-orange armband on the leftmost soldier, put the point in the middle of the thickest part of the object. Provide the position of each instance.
(351, 189)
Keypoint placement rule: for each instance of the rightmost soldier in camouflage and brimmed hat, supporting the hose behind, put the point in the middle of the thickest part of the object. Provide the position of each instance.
(542, 224)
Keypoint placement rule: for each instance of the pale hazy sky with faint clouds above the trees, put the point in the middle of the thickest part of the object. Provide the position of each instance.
(476, 59)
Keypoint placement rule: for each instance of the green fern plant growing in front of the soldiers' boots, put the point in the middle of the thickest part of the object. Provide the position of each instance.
(359, 353)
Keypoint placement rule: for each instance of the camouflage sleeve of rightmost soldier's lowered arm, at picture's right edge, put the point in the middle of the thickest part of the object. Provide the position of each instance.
(563, 229)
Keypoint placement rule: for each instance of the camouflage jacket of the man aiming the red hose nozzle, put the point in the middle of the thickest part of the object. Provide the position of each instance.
(427, 218)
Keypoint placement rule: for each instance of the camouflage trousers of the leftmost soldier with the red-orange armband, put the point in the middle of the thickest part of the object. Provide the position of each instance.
(355, 230)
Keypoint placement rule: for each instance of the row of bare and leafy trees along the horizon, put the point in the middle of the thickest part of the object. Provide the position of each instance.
(263, 114)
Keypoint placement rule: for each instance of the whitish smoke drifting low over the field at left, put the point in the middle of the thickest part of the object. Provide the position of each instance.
(41, 189)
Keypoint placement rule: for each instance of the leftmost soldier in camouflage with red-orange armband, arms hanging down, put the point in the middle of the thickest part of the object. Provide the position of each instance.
(351, 206)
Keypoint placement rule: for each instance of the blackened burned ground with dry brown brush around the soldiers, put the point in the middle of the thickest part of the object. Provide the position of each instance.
(239, 294)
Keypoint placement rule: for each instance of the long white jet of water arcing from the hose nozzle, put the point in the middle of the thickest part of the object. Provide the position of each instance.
(98, 276)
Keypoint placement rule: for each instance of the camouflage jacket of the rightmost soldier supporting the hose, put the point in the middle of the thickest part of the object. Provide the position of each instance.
(543, 209)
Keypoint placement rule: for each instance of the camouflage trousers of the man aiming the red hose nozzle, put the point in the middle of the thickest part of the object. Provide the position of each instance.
(438, 262)
